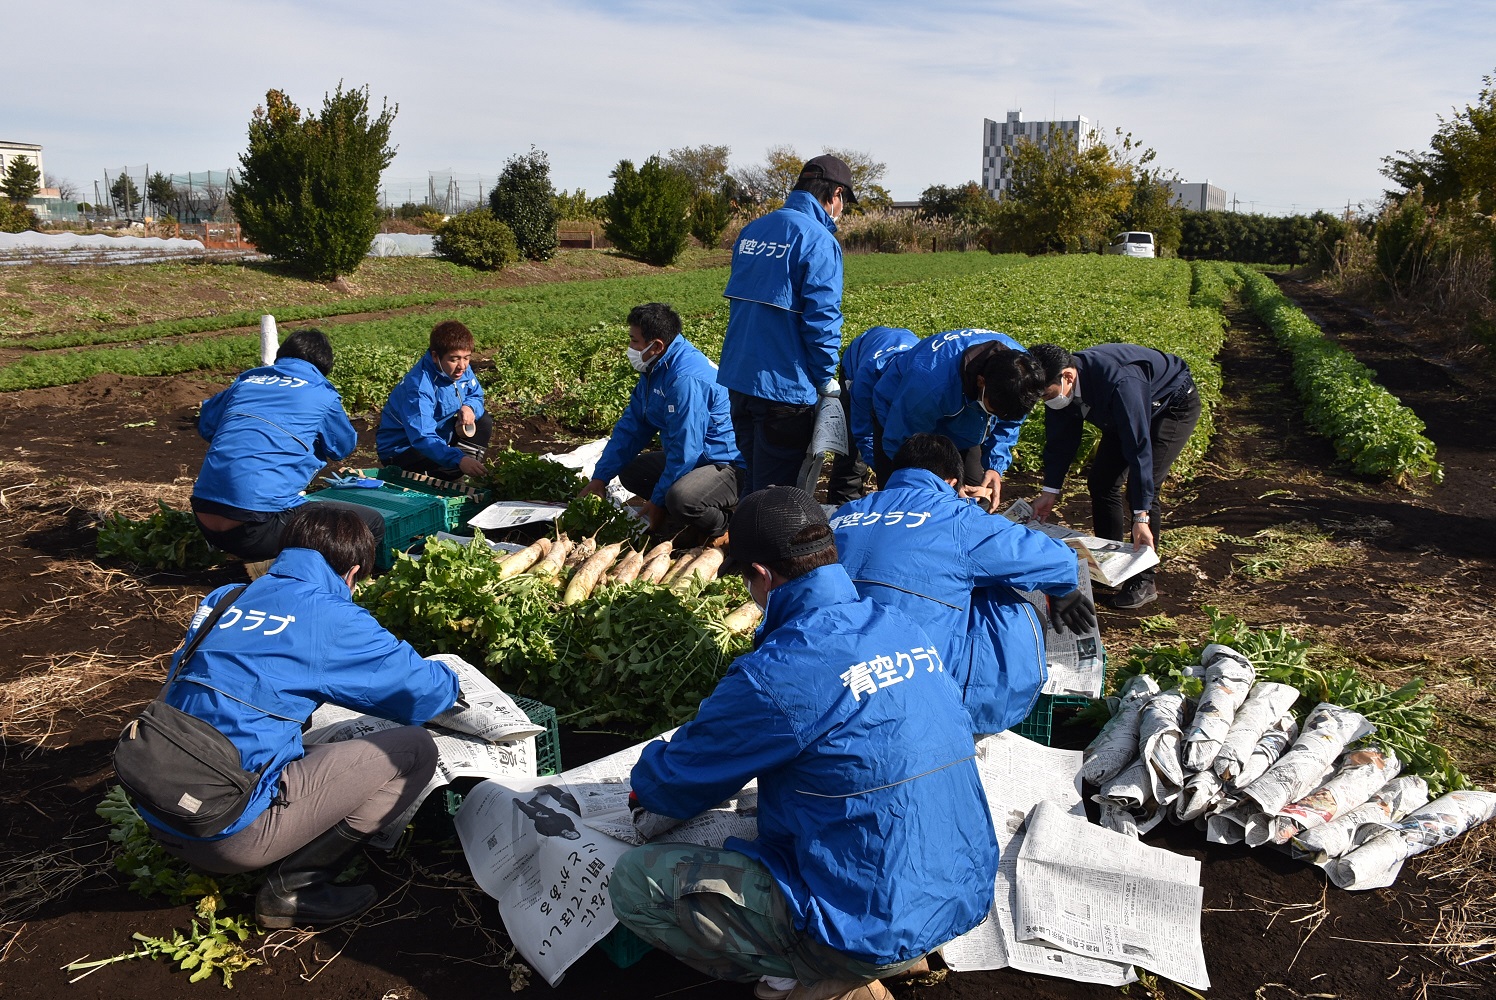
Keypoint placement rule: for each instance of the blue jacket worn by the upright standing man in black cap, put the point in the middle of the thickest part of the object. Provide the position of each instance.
(785, 315)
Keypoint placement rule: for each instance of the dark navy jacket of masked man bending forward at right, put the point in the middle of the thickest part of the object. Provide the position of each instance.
(1121, 388)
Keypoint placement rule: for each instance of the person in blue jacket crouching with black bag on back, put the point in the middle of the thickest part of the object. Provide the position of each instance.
(292, 641)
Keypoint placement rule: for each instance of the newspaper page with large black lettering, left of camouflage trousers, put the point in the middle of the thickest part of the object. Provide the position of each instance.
(547, 848)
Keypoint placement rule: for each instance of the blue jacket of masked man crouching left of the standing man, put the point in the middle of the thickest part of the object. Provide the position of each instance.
(678, 399)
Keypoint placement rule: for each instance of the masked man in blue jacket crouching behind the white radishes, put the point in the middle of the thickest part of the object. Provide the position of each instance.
(693, 480)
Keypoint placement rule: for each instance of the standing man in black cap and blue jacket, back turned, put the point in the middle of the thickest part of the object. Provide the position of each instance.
(785, 324)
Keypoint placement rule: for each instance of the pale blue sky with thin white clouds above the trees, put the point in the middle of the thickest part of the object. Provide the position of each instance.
(1286, 106)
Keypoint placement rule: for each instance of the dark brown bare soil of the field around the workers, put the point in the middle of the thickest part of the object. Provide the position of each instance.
(1426, 573)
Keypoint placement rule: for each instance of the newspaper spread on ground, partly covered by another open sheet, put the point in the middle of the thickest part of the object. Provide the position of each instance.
(1018, 775)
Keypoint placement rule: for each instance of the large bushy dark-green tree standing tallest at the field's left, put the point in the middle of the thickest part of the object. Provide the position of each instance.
(309, 189)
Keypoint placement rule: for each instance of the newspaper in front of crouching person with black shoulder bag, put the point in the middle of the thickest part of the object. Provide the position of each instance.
(490, 739)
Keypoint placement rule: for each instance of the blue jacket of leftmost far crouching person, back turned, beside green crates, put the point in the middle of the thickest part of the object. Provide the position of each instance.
(269, 435)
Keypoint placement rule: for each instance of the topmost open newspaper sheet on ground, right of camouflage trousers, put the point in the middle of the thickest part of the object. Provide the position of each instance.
(1100, 894)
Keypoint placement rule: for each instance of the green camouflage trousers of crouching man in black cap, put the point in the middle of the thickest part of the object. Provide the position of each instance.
(723, 914)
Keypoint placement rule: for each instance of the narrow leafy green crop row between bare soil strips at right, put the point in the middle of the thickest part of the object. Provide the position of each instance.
(1343, 399)
